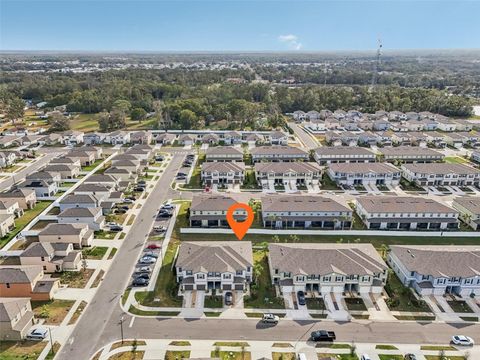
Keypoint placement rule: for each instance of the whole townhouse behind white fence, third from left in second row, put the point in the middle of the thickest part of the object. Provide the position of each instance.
(405, 213)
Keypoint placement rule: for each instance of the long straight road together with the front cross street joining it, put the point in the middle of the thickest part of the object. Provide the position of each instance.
(99, 325)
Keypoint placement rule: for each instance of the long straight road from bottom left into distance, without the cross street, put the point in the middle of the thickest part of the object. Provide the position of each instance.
(104, 311)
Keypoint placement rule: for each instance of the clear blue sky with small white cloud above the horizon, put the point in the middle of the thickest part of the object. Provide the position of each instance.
(237, 25)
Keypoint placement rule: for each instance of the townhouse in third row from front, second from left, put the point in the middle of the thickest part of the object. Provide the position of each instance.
(295, 173)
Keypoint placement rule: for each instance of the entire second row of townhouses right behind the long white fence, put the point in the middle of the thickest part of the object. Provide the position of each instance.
(318, 212)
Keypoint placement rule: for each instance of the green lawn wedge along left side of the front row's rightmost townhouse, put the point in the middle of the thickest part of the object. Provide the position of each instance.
(402, 298)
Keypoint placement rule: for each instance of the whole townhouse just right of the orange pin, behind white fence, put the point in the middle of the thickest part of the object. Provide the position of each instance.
(293, 211)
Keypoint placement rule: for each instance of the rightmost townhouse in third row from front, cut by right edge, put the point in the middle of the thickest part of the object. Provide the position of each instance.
(443, 174)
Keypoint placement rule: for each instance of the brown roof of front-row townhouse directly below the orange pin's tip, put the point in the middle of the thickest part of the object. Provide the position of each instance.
(215, 256)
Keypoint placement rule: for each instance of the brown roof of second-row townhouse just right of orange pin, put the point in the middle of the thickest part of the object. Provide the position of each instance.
(301, 203)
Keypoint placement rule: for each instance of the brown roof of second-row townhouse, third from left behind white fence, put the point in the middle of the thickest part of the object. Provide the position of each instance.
(402, 204)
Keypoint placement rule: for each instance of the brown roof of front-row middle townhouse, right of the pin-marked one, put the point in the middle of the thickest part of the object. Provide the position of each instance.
(323, 259)
